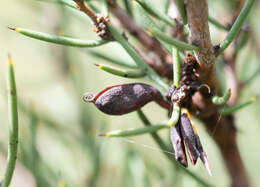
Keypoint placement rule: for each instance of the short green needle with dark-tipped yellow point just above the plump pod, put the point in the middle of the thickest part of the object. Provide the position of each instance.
(122, 72)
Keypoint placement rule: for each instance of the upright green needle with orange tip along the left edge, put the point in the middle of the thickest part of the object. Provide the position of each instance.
(13, 128)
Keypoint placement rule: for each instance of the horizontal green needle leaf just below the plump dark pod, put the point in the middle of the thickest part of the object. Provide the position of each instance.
(134, 132)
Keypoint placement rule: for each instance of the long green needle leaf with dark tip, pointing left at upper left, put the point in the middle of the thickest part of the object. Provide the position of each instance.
(59, 39)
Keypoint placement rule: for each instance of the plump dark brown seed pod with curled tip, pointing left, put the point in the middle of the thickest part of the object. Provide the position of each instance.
(122, 99)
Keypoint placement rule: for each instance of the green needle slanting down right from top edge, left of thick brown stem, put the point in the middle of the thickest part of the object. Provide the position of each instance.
(154, 12)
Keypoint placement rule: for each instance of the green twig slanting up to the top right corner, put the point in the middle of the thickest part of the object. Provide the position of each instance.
(236, 26)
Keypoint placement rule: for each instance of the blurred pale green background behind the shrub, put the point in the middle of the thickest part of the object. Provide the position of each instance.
(58, 131)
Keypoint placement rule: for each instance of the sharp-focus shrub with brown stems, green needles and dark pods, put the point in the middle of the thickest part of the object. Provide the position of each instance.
(194, 74)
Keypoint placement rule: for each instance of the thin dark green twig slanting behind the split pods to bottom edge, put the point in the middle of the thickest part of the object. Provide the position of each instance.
(164, 147)
